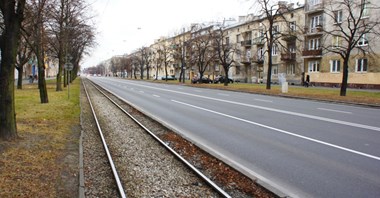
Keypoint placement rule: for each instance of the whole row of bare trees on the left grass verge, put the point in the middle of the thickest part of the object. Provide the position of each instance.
(39, 31)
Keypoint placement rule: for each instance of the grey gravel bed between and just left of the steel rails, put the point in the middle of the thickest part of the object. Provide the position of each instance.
(145, 167)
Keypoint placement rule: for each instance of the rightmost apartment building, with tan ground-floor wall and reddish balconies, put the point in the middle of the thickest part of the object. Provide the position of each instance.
(328, 27)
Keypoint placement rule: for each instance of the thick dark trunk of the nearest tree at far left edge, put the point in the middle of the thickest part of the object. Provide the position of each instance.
(12, 15)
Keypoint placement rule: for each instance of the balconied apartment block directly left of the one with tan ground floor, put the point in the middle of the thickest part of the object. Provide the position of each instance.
(251, 56)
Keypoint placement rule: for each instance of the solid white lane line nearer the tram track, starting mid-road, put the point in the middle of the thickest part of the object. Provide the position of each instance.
(282, 131)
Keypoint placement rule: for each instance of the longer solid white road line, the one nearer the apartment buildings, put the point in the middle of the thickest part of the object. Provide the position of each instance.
(269, 109)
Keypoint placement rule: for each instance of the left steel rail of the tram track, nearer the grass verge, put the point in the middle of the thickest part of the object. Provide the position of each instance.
(114, 171)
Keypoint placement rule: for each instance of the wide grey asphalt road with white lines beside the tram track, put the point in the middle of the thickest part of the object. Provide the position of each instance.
(300, 148)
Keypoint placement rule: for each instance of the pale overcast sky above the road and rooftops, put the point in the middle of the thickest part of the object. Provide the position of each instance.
(126, 25)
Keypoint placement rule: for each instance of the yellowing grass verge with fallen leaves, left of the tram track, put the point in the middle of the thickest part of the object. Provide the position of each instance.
(38, 164)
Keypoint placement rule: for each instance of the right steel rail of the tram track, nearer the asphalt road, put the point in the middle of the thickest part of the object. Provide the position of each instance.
(189, 165)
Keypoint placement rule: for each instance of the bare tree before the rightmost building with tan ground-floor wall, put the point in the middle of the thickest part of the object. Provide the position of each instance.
(355, 31)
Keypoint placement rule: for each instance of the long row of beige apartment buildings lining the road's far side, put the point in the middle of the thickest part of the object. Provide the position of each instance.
(305, 39)
